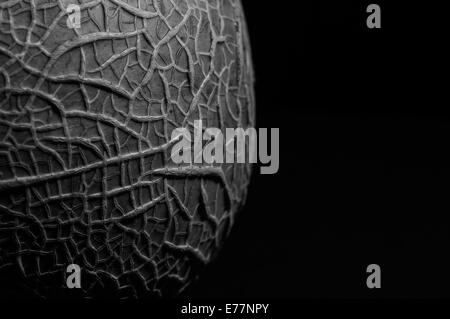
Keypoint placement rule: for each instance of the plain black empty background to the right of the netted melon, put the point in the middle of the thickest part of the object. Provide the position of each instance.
(365, 171)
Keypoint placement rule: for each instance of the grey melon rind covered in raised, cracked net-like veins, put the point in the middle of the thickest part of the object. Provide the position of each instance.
(85, 122)
